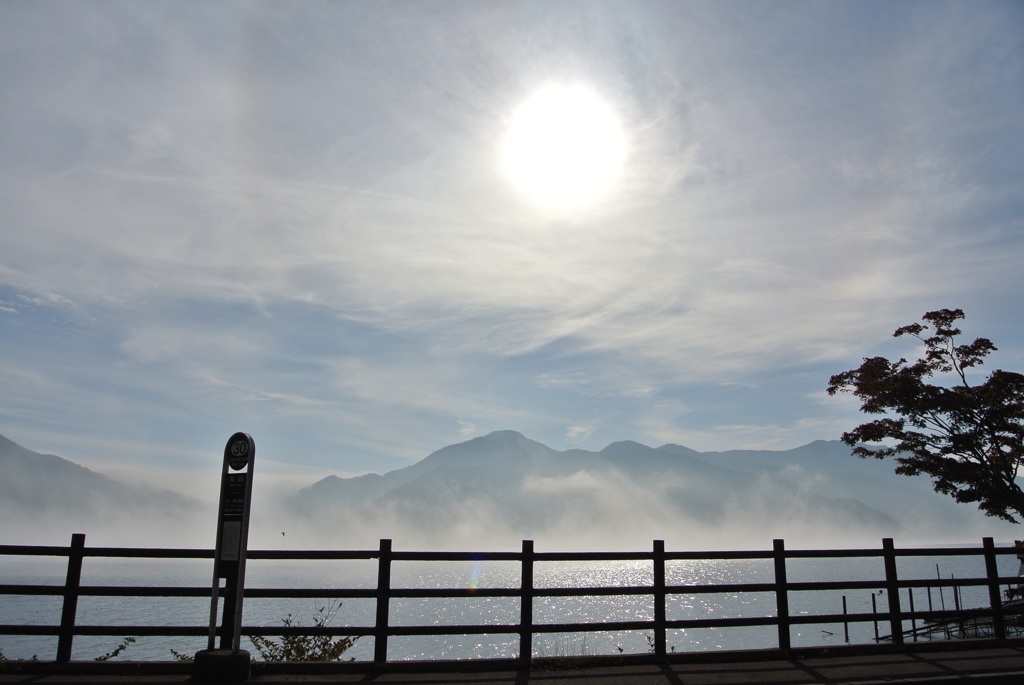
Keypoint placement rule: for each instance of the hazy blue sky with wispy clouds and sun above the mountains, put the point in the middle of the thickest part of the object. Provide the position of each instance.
(309, 222)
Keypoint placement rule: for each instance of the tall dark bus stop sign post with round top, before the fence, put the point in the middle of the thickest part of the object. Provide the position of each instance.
(233, 538)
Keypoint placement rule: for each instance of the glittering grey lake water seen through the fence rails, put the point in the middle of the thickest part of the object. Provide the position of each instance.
(328, 575)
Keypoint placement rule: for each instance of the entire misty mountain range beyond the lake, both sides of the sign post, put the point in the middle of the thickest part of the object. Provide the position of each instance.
(494, 491)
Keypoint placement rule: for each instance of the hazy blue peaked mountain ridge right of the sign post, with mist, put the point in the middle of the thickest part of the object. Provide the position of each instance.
(506, 487)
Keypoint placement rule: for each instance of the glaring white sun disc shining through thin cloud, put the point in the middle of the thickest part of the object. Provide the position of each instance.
(564, 149)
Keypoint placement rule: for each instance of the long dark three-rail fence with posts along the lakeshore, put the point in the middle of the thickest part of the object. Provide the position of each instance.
(996, 617)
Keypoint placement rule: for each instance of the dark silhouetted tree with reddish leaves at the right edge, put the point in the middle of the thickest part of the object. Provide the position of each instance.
(970, 440)
